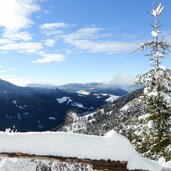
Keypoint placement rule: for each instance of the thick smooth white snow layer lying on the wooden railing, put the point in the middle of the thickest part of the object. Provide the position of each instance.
(113, 146)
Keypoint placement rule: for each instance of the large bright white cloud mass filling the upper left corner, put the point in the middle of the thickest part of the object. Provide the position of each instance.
(15, 17)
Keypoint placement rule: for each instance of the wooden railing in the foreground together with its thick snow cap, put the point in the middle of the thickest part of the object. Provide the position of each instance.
(111, 152)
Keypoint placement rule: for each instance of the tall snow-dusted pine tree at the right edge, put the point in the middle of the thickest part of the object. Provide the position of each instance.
(154, 133)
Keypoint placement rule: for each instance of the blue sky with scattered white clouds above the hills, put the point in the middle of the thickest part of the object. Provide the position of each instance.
(64, 41)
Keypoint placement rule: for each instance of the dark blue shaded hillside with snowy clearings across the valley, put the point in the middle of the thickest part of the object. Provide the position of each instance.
(43, 108)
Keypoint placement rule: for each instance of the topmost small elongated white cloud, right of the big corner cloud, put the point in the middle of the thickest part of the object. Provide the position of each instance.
(52, 26)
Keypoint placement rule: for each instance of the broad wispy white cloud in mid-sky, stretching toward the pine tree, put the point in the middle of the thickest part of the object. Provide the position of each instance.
(89, 39)
